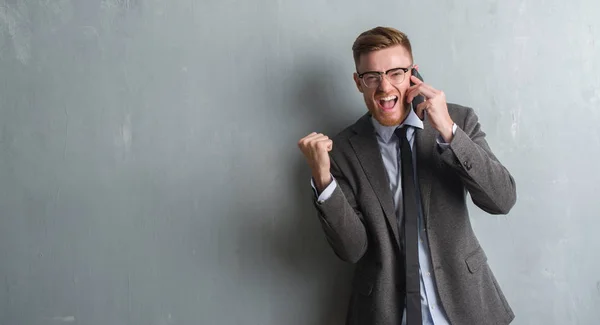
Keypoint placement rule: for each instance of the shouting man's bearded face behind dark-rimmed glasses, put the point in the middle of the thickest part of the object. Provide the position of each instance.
(386, 102)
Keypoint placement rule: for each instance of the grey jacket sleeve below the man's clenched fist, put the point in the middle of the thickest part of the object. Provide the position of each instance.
(341, 221)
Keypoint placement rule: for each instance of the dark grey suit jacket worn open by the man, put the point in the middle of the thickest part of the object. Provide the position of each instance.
(360, 224)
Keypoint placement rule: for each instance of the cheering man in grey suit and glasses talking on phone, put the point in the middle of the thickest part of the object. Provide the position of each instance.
(391, 195)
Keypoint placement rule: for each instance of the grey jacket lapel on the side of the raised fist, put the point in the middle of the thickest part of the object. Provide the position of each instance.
(365, 146)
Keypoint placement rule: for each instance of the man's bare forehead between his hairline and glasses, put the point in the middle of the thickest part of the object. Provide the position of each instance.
(385, 59)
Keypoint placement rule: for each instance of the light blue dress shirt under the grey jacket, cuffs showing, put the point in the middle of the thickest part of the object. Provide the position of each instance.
(389, 146)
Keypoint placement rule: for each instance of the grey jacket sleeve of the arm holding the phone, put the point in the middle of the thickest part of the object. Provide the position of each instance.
(491, 186)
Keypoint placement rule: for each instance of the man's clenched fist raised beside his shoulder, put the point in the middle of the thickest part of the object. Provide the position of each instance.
(315, 148)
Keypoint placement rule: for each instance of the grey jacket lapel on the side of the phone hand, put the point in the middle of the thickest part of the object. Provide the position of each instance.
(425, 143)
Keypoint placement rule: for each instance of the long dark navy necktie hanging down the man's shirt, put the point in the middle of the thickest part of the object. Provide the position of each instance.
(411, 232)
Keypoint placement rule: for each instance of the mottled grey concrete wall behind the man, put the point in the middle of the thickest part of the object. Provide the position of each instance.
(149, 172)
